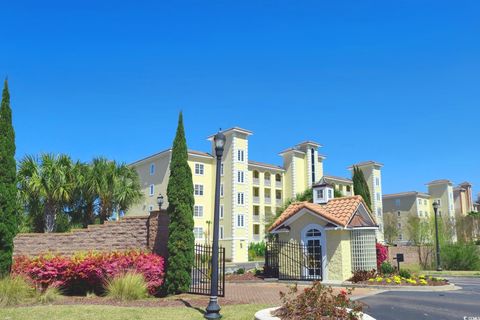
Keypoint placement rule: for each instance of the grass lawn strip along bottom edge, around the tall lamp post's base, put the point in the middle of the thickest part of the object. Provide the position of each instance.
(91, 312)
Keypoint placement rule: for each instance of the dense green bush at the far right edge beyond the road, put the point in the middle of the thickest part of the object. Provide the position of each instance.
(460, 256)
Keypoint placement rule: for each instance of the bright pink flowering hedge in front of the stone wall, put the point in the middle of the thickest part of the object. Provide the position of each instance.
(89, 271)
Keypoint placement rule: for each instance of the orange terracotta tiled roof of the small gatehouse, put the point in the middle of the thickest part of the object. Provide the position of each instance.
(339, 211)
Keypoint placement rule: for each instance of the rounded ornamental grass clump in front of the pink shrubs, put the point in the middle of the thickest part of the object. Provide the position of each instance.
(129, 286)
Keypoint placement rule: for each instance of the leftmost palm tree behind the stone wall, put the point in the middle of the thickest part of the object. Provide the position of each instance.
(49, 181)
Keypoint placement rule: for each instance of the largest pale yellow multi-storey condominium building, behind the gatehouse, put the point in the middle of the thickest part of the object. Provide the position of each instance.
(250, 191)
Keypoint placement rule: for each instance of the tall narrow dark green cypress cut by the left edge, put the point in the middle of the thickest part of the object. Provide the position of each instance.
(8, 189)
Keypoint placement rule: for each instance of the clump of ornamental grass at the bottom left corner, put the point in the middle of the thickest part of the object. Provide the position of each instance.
(14, 291)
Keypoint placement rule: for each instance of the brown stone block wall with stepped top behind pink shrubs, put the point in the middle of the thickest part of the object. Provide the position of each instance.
(143, 232)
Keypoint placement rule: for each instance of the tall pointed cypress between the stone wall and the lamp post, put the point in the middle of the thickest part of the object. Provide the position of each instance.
(181, 241)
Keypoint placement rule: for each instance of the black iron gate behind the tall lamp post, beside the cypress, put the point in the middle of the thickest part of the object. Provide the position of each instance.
(202, 271)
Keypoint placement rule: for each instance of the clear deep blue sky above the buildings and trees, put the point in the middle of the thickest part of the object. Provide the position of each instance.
(393, 81)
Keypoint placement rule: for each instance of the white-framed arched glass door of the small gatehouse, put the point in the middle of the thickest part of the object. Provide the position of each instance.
(313, 239)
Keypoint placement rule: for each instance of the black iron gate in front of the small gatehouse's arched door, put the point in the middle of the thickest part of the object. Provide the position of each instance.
(293, 261)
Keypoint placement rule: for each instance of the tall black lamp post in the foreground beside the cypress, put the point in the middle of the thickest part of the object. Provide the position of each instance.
(213, 309)
